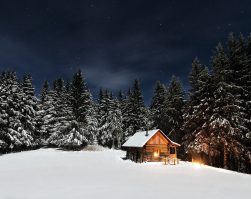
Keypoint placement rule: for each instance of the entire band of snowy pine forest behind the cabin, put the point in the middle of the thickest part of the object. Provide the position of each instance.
(213, 124)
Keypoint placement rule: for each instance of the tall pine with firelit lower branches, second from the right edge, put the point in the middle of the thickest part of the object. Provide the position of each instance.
(226, 122)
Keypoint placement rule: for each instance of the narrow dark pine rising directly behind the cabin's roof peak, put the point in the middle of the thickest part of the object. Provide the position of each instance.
(157, 105)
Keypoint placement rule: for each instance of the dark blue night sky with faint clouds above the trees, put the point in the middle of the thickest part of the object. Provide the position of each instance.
(115, 41)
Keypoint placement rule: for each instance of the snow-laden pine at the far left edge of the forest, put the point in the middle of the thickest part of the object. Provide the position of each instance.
(15, 134)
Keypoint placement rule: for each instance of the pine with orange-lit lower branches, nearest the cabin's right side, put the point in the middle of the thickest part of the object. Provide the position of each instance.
(196, 139)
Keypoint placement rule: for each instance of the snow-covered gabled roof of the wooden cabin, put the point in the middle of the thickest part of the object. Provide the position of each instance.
(139, 139)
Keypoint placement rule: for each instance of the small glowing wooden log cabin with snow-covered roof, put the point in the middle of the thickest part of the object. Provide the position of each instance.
(153, 146)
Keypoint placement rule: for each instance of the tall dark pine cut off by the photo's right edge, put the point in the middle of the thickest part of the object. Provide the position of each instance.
(239, 61)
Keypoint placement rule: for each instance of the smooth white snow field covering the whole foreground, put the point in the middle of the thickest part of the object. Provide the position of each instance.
(54, 174)
